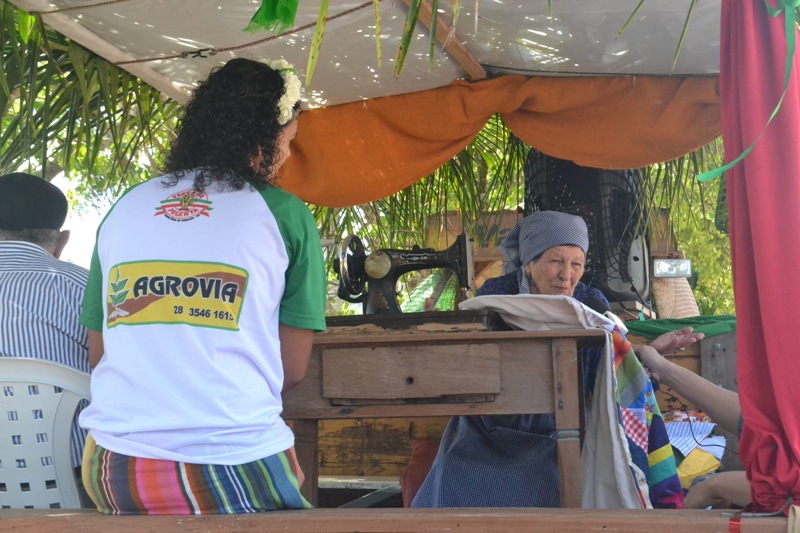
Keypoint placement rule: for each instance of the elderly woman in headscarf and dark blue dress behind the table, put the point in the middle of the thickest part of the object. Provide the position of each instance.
(510, 461)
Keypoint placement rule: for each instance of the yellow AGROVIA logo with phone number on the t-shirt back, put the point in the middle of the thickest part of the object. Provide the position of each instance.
(175, 292)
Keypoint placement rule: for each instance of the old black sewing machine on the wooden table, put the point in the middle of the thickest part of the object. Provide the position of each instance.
(372, 279)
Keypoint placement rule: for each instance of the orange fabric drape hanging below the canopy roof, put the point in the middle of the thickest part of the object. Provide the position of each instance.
(354, 153)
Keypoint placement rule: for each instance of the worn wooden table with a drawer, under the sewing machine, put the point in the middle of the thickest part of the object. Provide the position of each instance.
(471, 372)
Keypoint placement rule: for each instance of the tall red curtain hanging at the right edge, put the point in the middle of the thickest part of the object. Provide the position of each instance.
(764, 205)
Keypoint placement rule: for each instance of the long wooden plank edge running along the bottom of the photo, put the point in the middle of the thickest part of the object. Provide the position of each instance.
(395, 521)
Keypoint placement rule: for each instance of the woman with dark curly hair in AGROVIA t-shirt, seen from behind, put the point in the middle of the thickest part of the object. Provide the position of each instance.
(205, 288)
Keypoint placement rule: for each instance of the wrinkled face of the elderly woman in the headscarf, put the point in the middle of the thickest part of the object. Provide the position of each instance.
(557, 271)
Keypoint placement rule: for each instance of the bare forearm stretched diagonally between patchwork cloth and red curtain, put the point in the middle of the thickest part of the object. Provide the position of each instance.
(720, 404)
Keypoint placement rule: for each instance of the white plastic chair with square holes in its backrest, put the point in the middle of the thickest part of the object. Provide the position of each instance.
(38, 400)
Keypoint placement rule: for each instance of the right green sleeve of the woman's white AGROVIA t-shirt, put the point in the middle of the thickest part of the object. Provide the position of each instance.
(303, 302)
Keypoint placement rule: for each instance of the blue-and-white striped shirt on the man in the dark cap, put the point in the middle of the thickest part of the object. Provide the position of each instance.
(40, 301)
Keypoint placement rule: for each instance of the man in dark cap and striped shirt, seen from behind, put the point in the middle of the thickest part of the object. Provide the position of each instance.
(40, 296)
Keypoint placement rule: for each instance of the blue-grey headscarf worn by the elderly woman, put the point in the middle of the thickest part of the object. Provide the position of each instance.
(537, 233)
